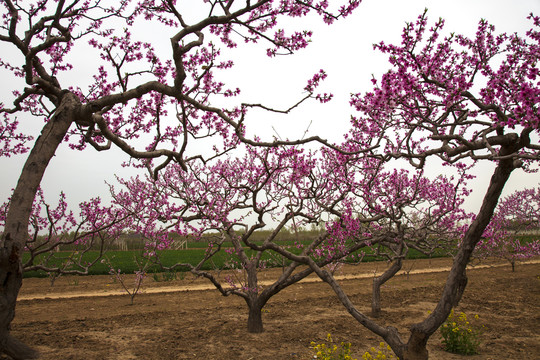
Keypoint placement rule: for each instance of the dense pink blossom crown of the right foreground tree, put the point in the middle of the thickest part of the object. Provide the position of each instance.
(427, 104)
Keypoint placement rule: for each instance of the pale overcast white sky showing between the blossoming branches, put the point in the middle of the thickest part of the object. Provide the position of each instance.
(344, 50)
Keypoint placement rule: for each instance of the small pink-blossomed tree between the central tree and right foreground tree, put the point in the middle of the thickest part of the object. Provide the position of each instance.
(409, 210)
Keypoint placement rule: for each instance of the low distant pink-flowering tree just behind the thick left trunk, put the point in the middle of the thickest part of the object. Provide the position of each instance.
(55, 227)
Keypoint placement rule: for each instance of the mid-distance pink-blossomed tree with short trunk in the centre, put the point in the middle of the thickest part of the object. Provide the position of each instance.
(230, 200)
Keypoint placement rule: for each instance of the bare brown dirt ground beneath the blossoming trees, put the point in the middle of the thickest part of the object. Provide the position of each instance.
(81, 318)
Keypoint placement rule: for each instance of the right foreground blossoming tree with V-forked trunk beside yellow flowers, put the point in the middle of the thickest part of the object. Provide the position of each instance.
(459, 100)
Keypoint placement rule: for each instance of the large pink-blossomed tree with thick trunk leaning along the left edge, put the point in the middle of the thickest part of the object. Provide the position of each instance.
(83, 69)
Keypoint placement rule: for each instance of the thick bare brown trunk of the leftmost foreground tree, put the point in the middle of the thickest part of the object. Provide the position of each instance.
(16, 225)
